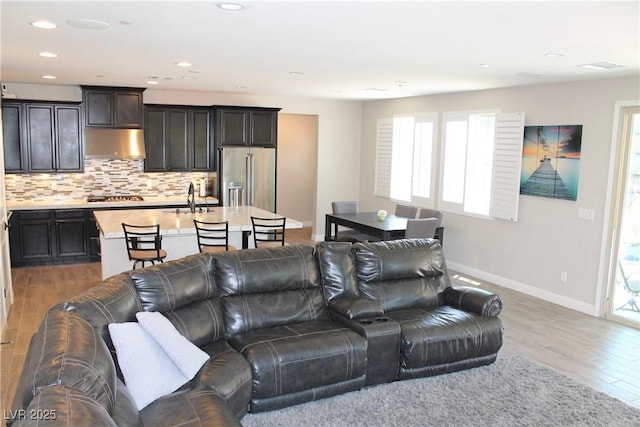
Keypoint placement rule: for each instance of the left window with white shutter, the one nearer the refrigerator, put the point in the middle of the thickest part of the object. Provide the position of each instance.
(404, 158)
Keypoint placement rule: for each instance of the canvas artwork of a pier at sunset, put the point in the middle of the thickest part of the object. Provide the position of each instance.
(551, 161)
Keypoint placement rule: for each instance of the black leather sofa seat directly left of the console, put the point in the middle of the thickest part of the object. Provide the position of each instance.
(301, 356)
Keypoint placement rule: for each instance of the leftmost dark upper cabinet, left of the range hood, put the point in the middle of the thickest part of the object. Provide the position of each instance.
(41, 137)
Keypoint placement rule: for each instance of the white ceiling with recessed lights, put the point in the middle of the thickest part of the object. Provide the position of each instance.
(351, 50)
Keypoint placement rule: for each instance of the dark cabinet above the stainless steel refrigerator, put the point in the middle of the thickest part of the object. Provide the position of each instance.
(246, 126)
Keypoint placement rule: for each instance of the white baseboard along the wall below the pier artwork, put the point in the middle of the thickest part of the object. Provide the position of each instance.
(524, 288)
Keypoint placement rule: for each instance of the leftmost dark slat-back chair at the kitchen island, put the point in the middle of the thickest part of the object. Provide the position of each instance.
(144, 244)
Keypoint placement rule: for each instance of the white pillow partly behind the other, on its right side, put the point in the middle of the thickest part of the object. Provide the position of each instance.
(186, 355)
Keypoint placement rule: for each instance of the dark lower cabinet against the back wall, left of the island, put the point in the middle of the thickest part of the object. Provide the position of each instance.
(57, 236)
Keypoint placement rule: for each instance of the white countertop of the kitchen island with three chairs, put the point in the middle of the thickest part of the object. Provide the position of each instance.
(239, 218)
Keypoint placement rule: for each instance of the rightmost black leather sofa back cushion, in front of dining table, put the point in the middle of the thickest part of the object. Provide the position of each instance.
(401, 274)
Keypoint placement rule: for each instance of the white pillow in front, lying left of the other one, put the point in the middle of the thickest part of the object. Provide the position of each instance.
(148, 371)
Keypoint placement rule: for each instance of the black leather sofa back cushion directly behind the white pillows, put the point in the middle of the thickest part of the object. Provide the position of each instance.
(184, 291)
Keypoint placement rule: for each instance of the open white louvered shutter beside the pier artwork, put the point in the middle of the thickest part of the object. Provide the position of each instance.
(507, 164)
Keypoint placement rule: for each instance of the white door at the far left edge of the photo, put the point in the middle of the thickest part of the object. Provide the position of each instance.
(6, 296)
